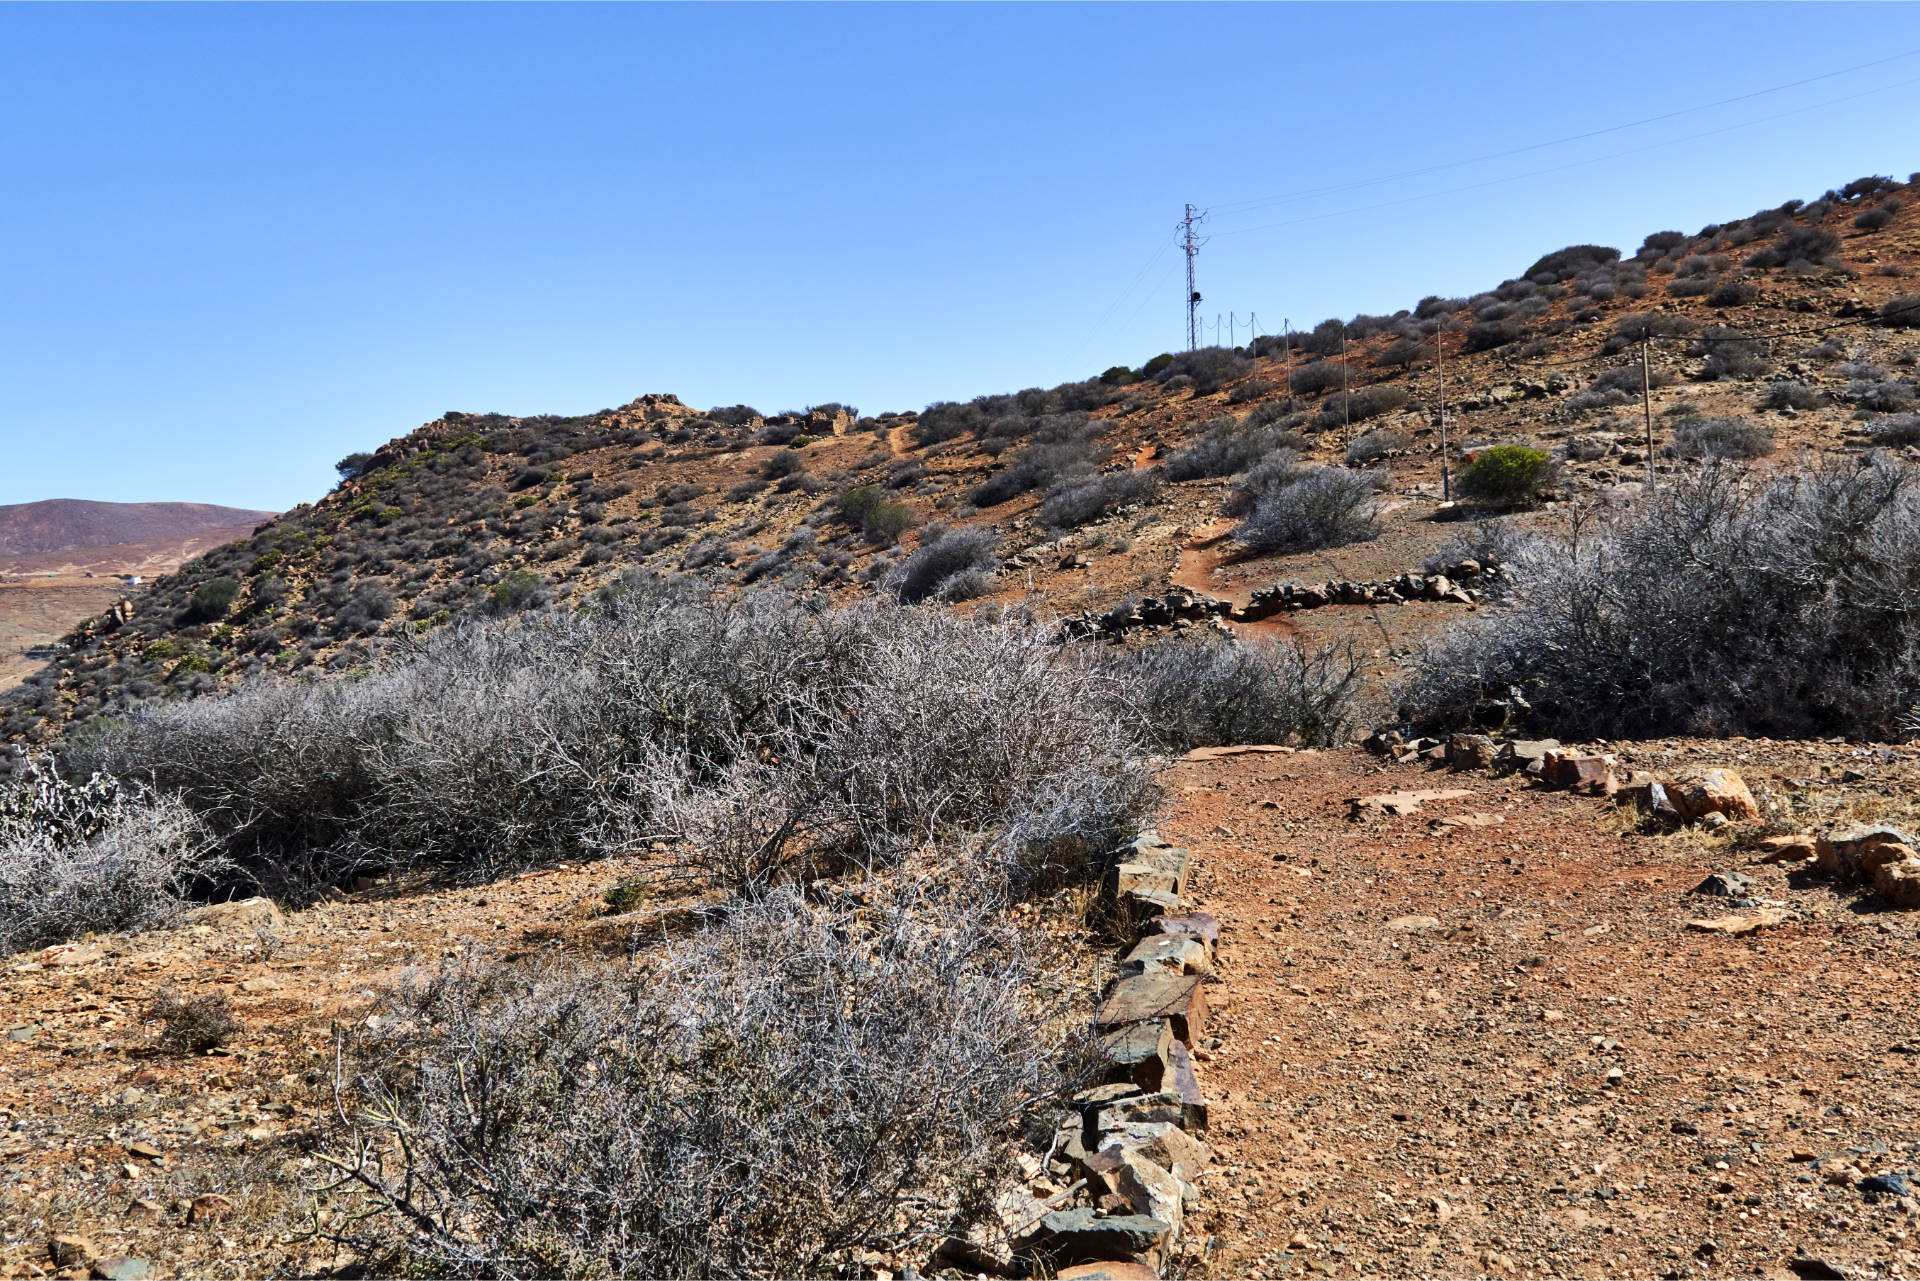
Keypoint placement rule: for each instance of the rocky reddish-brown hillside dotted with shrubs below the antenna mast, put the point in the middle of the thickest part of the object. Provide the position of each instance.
(1794, 327)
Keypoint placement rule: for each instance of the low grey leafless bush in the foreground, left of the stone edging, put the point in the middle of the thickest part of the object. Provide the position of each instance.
(786, 1094)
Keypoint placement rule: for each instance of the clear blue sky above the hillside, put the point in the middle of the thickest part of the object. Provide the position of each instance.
(239, 243)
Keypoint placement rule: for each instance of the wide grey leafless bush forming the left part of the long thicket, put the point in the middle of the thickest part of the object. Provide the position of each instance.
(487, 748)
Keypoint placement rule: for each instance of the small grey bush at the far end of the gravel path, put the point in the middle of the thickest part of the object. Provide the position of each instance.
(1207, 694)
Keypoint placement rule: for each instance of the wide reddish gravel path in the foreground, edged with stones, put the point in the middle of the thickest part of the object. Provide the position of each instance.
(1412, 1076)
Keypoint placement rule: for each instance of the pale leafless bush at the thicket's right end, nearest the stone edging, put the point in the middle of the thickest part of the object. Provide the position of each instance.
(948, 733)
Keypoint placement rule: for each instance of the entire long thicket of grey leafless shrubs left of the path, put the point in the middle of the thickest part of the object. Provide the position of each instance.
(763, 725)
